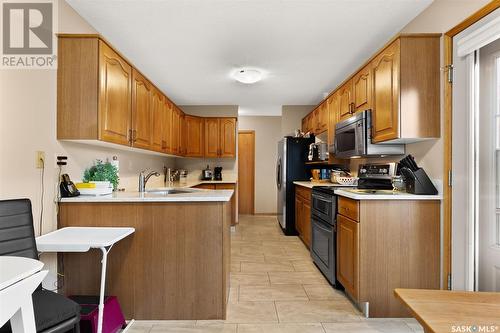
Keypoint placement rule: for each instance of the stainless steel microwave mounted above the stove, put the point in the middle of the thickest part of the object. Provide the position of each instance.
(353, 139)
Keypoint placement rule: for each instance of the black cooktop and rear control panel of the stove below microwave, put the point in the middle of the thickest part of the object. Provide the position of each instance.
(376, 176)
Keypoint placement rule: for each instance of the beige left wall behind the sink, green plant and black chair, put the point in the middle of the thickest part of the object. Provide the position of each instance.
(28, 124)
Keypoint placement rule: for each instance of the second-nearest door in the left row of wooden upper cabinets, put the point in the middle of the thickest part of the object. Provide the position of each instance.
(142, 116)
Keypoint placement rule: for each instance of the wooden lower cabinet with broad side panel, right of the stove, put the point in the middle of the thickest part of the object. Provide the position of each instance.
(394, 244)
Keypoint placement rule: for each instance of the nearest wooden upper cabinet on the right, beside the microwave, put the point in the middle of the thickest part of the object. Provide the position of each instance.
(406, 76)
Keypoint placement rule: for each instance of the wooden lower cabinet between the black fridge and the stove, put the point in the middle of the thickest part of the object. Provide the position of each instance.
(303, 214)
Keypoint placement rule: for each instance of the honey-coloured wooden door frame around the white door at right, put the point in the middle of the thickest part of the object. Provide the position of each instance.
(447, 137)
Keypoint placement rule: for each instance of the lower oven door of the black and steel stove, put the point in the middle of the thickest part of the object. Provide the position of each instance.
(323, 247)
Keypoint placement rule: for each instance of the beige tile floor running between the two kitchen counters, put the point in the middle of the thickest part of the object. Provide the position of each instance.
(275, 288)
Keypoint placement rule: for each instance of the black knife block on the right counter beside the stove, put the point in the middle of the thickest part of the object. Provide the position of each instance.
(416, 179)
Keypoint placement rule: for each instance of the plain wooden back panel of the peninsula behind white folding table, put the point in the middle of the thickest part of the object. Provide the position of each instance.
(172, 268)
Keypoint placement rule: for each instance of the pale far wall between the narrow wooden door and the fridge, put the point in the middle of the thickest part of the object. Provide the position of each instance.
(267, 134)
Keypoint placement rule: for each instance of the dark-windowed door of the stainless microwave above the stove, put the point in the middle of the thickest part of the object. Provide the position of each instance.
(350, 140)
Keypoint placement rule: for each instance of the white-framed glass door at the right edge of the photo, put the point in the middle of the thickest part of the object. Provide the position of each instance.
(488, 223)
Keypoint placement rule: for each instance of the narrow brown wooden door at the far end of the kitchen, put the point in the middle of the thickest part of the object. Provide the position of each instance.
(246, 170)
